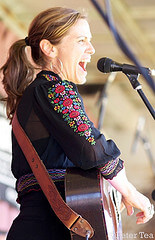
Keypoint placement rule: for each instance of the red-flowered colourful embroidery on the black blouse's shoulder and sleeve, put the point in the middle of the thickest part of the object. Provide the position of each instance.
(67, 102)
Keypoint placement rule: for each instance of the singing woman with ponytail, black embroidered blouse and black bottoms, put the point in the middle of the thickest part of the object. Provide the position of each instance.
(51, 112)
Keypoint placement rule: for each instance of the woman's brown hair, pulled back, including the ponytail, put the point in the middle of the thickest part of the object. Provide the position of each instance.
(51, 24)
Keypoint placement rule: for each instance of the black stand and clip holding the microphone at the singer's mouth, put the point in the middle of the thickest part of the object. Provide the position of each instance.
(137, 86)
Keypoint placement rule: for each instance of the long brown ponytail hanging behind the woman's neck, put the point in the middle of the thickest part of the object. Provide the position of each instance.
(17, 75)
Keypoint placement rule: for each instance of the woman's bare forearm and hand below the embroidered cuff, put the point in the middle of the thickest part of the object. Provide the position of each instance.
(131, 198)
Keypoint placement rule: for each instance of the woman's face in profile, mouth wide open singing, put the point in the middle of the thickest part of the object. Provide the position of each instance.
(74, 51)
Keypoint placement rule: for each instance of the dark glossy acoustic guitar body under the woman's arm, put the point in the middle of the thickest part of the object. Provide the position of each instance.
(96, 200)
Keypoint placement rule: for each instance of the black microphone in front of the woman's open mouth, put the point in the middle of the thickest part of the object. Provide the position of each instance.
(107, 65)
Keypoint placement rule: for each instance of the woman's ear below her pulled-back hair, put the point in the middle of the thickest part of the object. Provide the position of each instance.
(47, 48)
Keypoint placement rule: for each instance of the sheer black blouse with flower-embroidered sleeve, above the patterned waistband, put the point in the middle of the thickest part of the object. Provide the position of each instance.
(52, 114)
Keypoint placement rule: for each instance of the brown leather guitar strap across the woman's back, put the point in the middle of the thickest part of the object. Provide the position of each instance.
(70, 219)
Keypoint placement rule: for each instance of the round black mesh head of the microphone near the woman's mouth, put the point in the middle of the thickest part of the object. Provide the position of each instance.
(104, 65)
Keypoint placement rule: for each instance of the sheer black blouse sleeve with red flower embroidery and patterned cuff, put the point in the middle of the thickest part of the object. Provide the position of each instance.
(84, 145)
